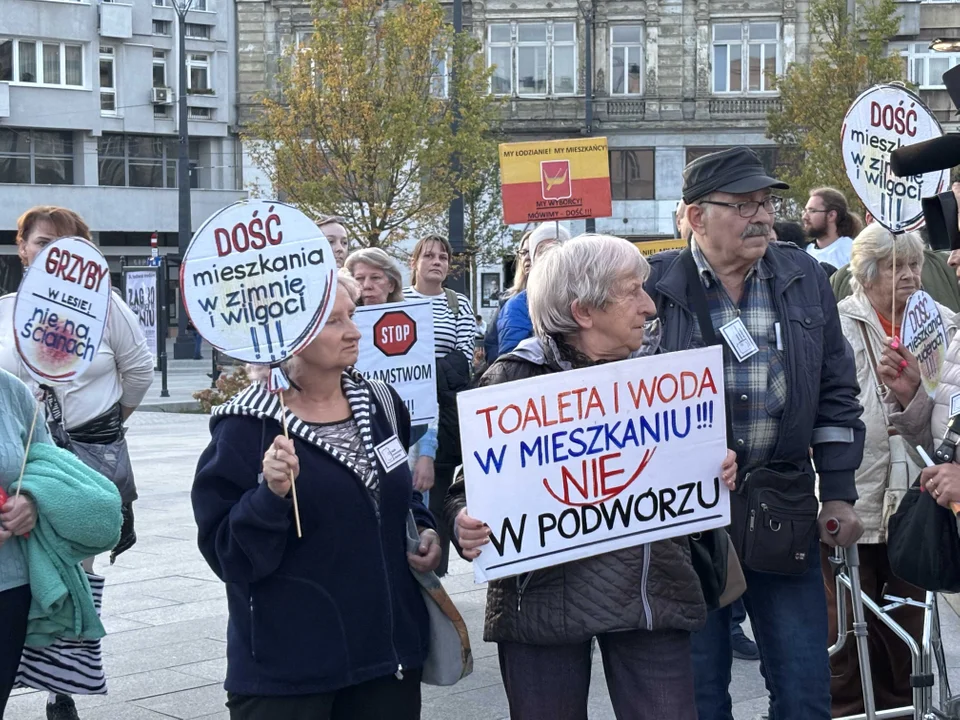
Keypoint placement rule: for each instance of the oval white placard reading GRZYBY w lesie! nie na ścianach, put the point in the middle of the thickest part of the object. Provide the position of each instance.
(61, 310)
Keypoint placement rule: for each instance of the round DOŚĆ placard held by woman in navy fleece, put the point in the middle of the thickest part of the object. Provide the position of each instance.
(258, 281)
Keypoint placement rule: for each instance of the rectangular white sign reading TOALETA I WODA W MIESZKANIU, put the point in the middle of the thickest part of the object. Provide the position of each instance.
(583, 462)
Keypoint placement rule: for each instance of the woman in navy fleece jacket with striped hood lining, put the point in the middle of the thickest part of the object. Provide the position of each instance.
(330, 625)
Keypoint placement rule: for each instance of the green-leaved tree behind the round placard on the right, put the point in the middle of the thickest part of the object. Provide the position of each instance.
(851, 56)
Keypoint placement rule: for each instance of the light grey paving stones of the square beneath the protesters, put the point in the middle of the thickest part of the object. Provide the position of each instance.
(166, 614)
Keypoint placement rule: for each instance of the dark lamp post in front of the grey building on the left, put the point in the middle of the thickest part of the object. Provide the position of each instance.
(183, 346)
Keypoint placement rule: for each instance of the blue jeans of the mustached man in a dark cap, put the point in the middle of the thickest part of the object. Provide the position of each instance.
(788, 614)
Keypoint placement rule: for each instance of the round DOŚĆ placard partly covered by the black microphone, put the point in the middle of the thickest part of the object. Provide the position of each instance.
(882, 119)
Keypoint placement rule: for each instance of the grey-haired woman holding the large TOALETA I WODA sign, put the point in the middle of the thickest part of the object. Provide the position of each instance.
(589, 307)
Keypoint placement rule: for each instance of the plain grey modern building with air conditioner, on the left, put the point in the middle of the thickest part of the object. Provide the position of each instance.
(88, 118)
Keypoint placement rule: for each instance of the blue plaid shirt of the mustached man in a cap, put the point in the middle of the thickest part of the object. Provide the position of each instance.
(756, 388)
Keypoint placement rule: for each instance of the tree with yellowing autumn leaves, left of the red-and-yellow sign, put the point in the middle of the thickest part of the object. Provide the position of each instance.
(360, 127)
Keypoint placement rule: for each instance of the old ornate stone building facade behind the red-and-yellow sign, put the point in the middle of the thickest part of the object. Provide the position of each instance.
(672, 79)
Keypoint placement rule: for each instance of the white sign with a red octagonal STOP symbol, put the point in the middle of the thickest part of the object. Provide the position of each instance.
(396, 347)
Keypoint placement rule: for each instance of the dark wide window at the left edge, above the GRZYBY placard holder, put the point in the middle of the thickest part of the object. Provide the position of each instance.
(36, 157)
